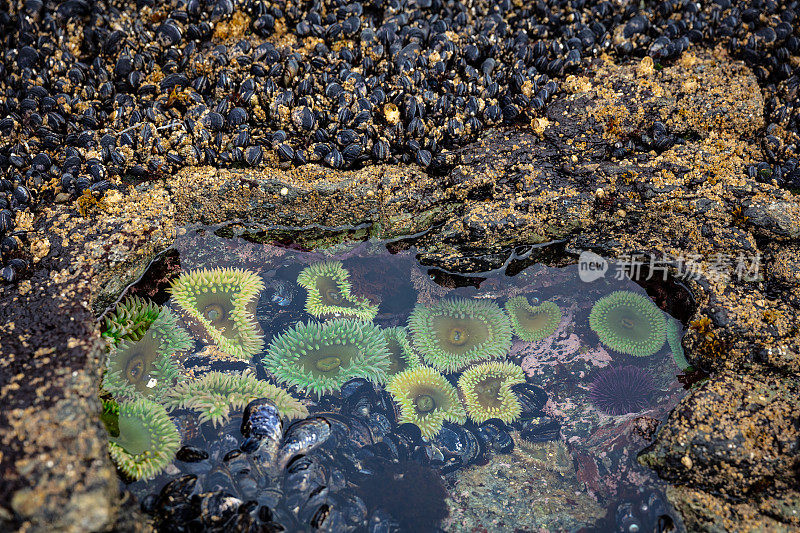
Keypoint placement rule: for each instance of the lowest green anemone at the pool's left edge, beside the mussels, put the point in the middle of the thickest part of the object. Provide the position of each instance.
(147, 440)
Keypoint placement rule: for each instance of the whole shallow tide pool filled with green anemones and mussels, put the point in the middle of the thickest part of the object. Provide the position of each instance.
(400, 398)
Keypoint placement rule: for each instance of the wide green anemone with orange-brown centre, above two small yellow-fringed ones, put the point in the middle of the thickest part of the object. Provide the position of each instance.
(454, 333)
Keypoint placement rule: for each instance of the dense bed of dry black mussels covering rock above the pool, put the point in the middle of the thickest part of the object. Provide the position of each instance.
(96, 91)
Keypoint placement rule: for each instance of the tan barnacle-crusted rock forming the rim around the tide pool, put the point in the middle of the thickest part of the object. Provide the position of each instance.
(565, 178)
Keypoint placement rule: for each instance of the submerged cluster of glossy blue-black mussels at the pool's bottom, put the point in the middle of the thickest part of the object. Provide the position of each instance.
(348, 466)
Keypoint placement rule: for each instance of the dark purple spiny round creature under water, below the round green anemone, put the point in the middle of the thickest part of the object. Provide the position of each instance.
(621, 390)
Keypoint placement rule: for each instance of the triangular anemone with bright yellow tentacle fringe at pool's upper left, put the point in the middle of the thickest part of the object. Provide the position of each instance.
(219, 300)
